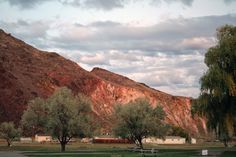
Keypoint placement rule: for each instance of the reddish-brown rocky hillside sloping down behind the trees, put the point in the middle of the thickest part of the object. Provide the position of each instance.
(26, 73)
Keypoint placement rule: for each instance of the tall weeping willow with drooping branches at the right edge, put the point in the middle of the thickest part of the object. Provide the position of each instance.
(217, 100)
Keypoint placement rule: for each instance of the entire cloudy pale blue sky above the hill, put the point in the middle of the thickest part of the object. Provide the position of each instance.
(157, 42)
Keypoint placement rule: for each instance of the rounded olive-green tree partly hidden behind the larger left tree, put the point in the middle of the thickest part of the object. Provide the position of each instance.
(35, 117)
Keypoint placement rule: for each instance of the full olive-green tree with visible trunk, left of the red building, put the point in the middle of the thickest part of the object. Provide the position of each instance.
(69, 115)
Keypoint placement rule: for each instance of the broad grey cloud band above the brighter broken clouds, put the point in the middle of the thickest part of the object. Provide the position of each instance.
(176, 36)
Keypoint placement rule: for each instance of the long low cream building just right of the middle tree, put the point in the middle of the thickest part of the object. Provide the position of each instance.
(166, 140)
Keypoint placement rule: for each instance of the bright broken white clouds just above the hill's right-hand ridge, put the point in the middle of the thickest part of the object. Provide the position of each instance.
(164, 72)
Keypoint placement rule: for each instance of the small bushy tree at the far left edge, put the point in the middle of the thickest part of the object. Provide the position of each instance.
(9, 132)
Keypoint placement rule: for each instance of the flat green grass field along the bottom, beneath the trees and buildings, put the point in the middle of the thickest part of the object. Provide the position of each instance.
(117, 150)
